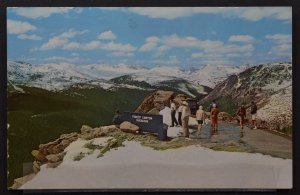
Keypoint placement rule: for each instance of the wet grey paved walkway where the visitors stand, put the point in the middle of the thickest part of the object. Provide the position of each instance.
(260, 141)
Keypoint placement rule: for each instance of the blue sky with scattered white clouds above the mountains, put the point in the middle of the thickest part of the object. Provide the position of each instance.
(139, 36)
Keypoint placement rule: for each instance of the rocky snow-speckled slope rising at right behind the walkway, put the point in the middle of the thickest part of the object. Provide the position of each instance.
(269, 85)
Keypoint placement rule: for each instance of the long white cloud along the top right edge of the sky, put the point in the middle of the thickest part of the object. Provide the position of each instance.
(246, 13)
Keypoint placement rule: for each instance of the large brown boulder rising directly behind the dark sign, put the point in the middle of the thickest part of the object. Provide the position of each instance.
(157, 99)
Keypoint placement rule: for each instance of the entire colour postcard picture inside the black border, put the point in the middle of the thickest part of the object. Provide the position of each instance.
(149, 97)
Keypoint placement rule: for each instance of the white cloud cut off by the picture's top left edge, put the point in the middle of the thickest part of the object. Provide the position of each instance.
(40, 12)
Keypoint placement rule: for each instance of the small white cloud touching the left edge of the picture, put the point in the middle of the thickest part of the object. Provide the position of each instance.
(17, 27)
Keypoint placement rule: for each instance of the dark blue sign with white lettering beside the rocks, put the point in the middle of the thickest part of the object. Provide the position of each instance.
(147, 123)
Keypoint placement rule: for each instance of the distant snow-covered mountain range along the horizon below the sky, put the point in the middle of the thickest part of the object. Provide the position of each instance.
(60, 76)
